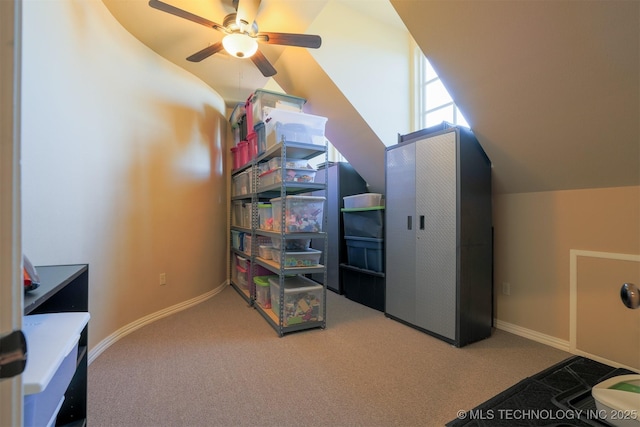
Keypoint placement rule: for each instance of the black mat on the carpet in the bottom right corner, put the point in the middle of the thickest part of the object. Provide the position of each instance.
(558, 396)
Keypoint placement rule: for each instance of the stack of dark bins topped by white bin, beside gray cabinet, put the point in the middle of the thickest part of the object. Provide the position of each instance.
(363, 275)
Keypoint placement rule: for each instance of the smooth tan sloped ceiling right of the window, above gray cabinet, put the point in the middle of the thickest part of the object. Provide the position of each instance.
(551, 89)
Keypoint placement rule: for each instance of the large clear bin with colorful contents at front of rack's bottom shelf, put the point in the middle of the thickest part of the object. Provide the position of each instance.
(302, 300)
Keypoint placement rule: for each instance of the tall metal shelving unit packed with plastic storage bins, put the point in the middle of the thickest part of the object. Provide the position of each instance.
(272, 223)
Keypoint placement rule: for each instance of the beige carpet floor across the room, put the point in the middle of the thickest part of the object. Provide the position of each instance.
(220, 364)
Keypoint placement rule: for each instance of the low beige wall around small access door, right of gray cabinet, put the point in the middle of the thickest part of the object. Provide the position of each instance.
(534, 233)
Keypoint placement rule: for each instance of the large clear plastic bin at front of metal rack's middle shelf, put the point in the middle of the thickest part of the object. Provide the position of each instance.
(302, 213)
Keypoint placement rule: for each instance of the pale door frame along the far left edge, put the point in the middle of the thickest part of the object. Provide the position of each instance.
(11, 292)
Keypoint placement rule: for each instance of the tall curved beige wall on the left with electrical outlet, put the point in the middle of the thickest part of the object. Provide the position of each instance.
(123, 164)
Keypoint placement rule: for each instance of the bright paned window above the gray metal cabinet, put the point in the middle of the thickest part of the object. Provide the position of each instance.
(434, 104)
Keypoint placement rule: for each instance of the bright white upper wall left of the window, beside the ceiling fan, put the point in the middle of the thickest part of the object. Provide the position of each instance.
(370, 64)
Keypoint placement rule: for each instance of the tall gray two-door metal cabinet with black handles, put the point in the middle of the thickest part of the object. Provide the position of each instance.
(439, 235)
